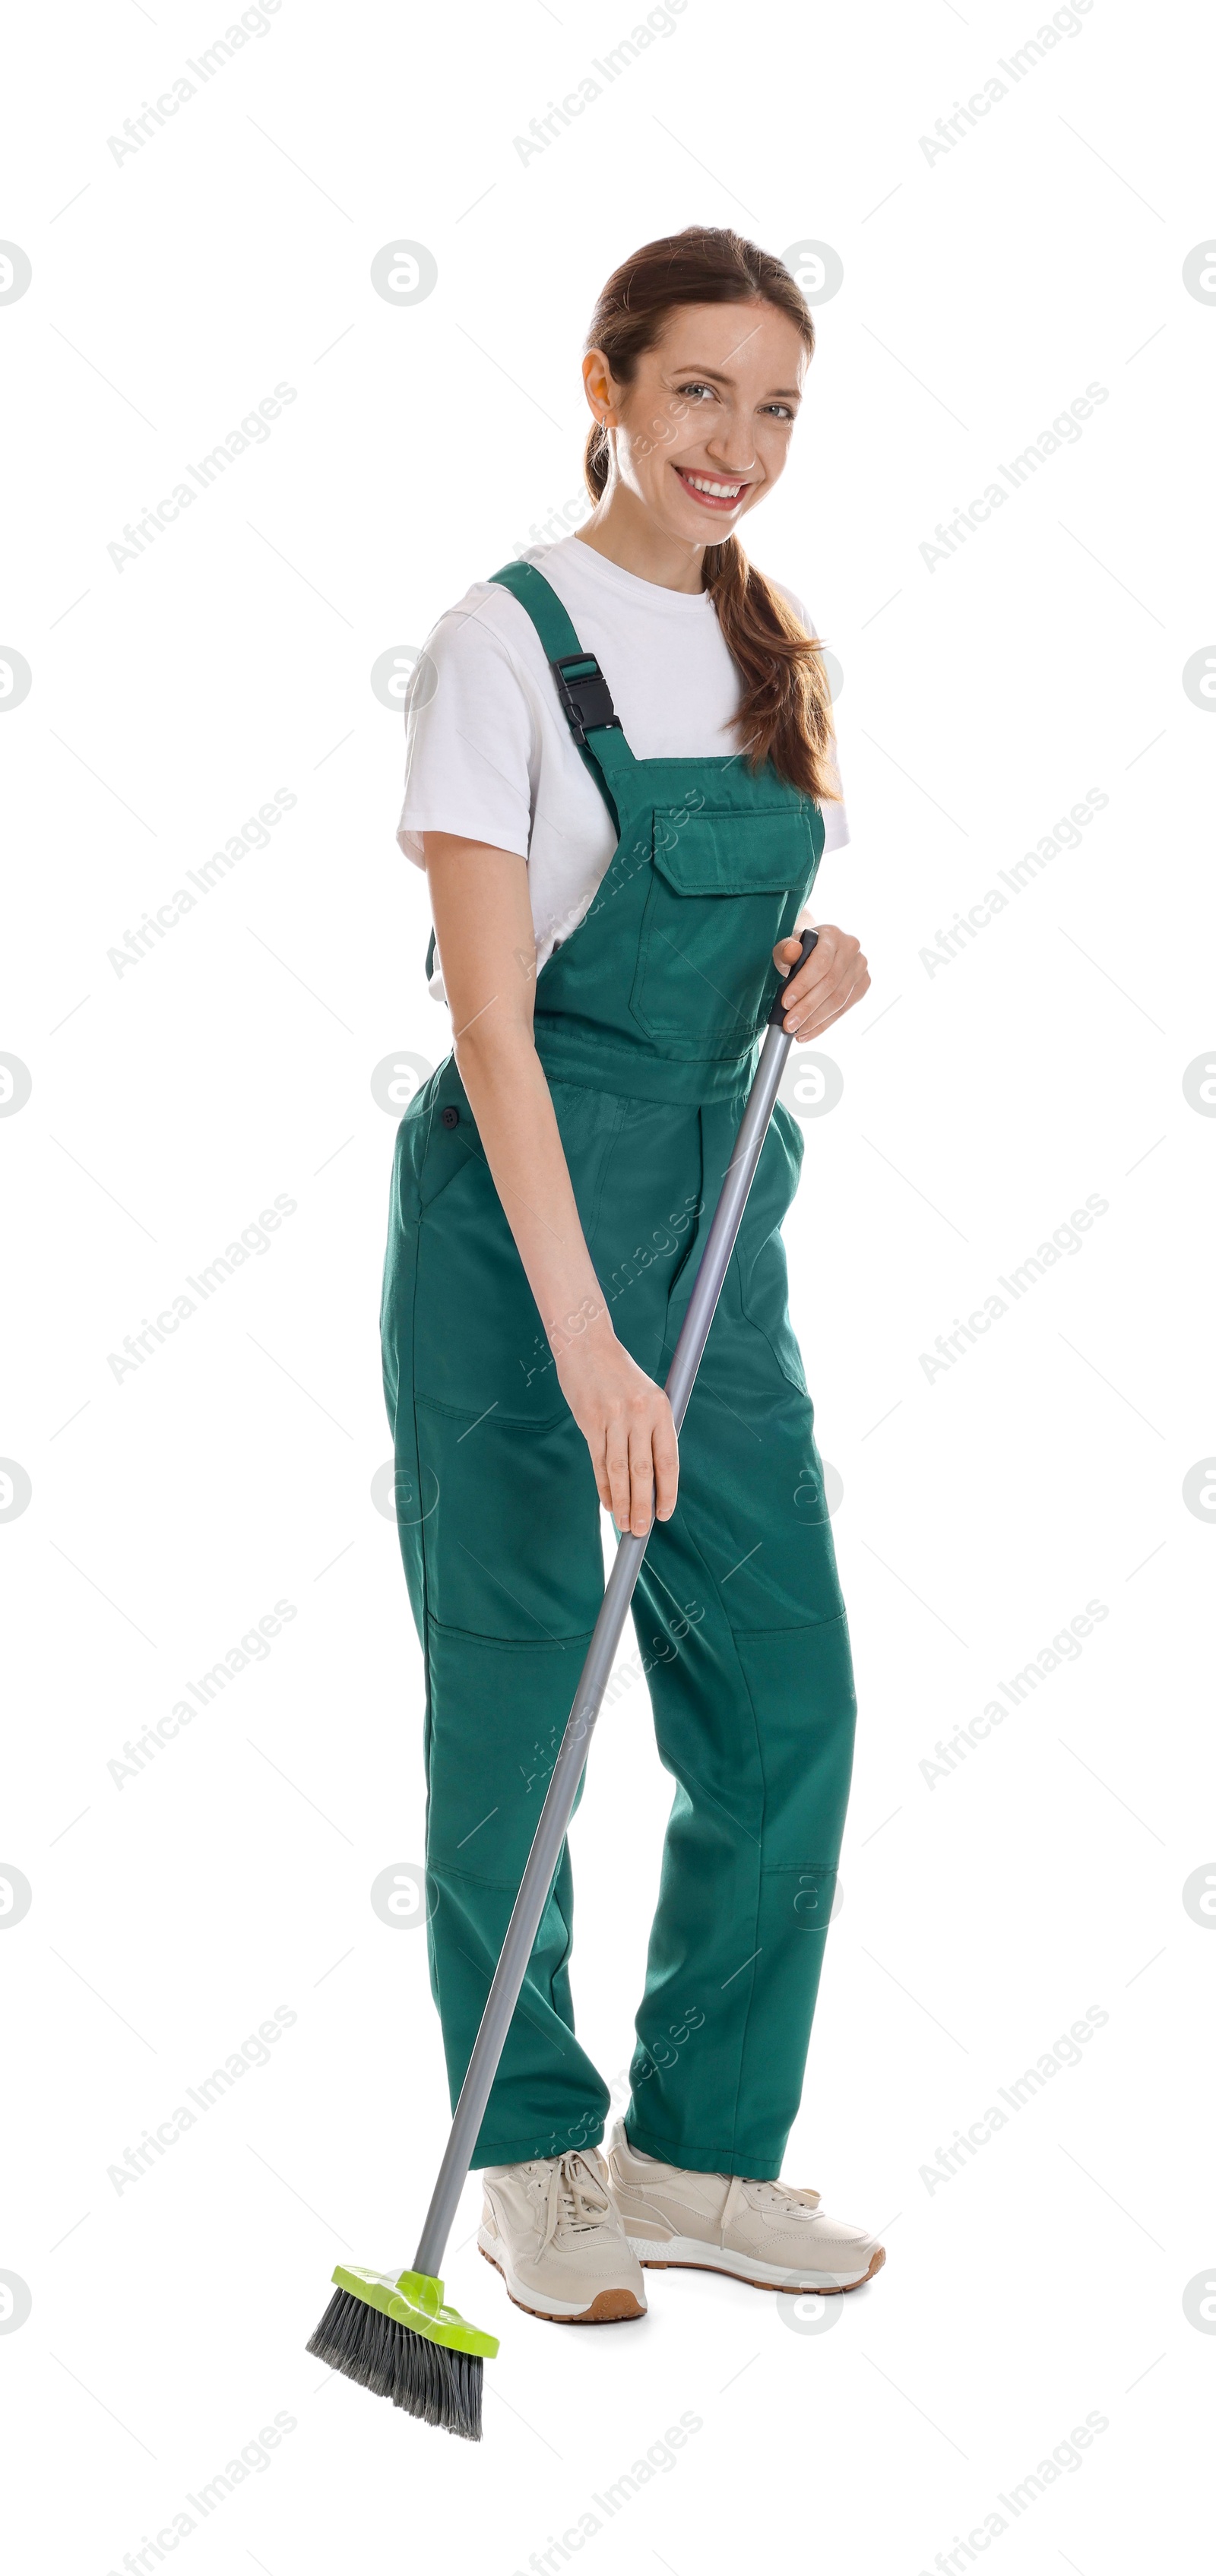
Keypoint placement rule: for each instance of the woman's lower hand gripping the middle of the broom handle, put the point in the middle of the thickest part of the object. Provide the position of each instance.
(627, 1426)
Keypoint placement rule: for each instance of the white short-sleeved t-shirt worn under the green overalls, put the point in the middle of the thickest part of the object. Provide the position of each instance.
(488, 746)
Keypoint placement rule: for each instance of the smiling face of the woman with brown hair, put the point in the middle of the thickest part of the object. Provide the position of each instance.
(705, 429)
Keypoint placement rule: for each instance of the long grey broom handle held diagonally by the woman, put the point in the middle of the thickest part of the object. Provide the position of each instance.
(602, 1653)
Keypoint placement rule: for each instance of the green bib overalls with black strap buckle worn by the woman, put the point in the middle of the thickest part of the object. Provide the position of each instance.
(648, 1021)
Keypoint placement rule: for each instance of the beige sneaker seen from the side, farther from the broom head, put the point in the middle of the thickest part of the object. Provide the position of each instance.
(759, 2232)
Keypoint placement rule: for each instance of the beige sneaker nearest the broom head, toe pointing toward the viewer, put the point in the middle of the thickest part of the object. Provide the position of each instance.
(550, 2227)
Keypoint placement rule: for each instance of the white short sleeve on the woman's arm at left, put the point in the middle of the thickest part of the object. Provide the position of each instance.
(470, 741)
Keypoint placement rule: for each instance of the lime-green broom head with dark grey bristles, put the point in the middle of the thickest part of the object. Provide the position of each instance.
(390, 2333)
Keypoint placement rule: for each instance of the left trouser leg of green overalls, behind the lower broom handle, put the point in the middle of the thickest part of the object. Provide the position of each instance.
(501, 1539)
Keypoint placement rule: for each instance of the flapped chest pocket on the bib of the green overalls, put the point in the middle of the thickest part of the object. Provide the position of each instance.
(723, 890)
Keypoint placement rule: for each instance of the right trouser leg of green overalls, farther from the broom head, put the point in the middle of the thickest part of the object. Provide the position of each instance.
(743, 1629)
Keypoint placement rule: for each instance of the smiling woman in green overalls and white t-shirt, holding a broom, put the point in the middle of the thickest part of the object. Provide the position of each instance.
(620, 759)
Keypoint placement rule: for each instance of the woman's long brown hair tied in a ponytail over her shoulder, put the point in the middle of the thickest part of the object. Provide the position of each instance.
(787, 707)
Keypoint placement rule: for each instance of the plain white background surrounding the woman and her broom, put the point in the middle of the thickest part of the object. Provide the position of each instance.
(983, 1104)
